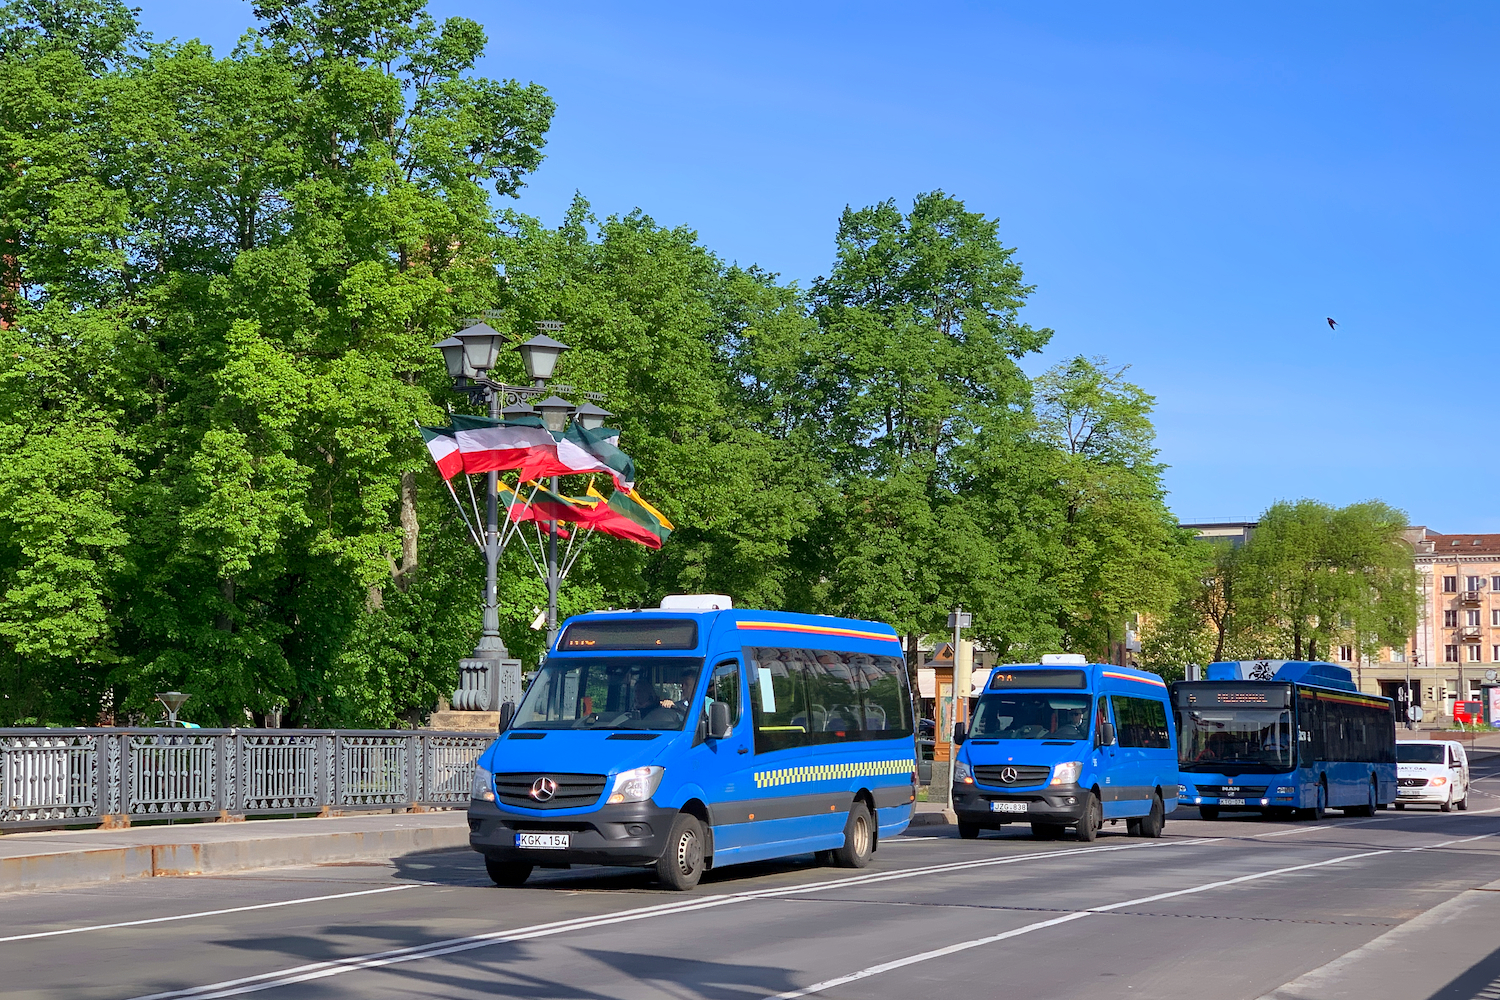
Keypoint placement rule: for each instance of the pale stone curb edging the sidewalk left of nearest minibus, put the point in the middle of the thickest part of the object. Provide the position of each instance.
(112, 864)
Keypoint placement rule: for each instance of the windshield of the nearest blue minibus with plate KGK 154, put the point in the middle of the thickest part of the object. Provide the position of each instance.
(611, 693)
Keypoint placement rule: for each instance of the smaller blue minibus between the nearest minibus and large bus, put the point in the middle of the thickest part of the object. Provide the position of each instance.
(1067, 743)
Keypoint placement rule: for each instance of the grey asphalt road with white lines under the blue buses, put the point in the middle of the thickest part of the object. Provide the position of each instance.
(1216, 909)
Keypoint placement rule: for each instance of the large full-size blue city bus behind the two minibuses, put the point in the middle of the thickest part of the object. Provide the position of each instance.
(1285, 737)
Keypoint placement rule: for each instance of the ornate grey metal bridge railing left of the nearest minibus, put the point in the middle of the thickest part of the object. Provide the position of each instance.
(77, 777)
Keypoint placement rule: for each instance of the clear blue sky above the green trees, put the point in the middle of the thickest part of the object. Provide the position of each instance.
(1192, 190)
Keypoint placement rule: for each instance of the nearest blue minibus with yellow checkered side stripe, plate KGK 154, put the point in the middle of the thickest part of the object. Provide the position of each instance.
(692, 740)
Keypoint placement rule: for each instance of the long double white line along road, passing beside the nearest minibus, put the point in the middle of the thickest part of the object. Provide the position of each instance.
(379, 960)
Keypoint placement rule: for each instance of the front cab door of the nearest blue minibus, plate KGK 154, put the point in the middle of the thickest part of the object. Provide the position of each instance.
(722, 768)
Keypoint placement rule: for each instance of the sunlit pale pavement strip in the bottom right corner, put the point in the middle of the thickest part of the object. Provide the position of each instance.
(1447, 953)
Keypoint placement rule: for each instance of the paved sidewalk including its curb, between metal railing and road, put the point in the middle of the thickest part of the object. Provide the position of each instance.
(67, 858)
